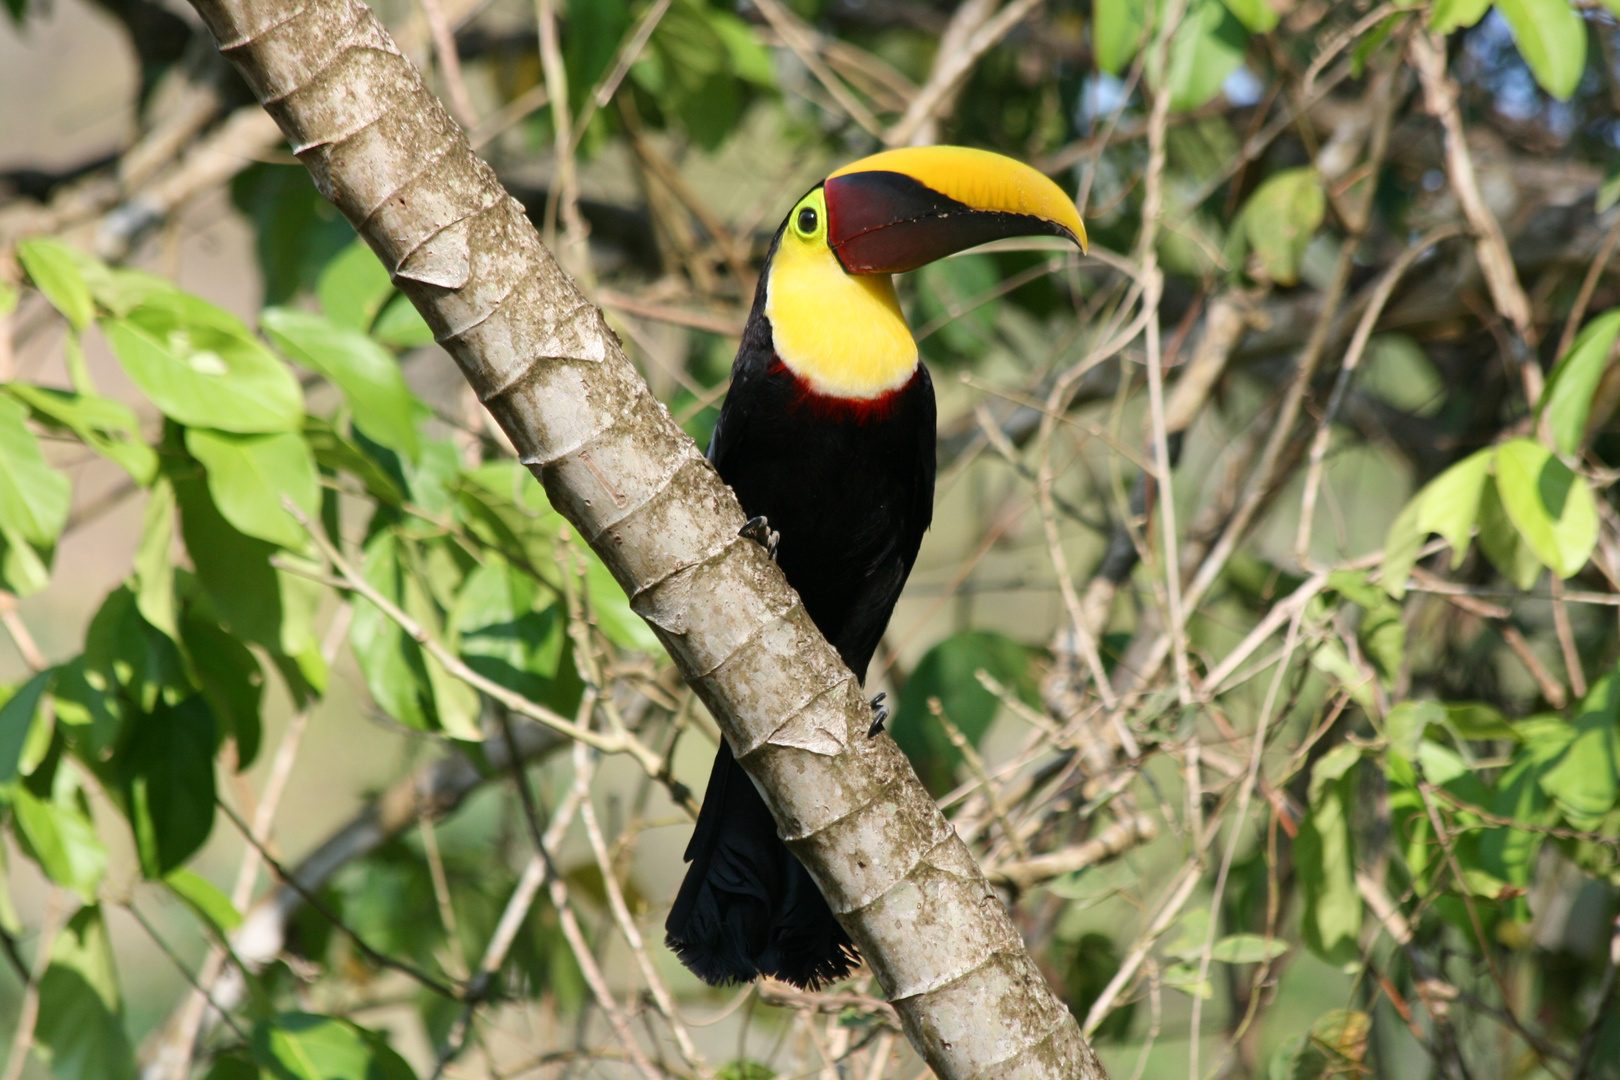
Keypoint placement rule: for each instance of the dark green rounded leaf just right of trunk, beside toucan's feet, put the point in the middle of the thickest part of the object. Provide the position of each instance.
(950, 673)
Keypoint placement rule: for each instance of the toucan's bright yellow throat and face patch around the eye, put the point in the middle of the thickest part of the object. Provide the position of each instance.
(842, 333)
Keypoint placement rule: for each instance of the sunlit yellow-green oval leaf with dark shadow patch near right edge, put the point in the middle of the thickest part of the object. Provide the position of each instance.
(1551, 506)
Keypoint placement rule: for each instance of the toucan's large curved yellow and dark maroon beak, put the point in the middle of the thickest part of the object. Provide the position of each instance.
(900, 210)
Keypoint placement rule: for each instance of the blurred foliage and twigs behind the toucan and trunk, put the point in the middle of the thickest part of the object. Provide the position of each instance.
(1302, 765)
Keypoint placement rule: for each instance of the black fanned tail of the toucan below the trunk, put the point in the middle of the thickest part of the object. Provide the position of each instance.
(748, 906)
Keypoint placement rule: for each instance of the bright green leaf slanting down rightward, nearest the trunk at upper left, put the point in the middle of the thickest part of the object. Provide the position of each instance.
(367, 373)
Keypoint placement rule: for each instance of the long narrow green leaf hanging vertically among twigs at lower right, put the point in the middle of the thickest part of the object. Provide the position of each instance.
(1326, 856)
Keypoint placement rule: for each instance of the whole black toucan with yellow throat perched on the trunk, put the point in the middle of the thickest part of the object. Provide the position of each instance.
(827, 436)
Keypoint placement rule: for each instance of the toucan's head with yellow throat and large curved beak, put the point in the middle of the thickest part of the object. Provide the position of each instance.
(835, 318)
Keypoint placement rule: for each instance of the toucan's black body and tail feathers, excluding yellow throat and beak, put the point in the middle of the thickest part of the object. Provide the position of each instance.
(850, 487)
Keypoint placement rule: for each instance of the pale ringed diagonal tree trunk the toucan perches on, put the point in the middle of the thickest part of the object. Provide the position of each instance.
(613, 462)
